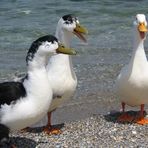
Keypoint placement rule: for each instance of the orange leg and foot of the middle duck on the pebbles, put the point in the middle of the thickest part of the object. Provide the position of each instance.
(49, 129)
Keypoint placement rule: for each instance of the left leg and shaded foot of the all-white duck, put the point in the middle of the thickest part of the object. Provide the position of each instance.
(125, 117)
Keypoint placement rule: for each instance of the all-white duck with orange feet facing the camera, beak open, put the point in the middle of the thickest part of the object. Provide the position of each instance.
(132, 82)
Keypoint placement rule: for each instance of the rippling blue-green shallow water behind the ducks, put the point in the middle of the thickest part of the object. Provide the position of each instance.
(97, 65)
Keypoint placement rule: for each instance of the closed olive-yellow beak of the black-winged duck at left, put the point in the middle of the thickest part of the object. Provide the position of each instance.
(64, 50)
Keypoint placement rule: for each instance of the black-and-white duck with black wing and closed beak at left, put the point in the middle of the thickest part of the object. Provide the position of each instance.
(25, 103)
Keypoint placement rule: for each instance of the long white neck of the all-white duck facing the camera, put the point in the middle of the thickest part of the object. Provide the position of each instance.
(138, 55)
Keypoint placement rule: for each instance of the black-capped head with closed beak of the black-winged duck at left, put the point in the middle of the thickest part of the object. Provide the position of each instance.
(47, 45)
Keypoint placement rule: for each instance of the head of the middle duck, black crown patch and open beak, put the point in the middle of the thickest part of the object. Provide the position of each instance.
(71, 25)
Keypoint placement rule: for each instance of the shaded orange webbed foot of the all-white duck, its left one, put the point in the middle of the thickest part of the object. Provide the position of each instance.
(125, 117)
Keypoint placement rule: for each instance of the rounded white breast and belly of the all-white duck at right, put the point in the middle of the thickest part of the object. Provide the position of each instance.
(132, 85)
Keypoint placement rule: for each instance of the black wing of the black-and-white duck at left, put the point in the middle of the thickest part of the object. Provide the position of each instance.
(11, 91)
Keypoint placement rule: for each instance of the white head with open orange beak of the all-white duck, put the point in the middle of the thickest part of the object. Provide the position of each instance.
(141, 25)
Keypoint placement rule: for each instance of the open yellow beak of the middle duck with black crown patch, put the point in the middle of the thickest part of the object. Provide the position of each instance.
(79, 31)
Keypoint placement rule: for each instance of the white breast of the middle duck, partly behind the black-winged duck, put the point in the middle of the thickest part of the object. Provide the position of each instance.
(62, 79)
